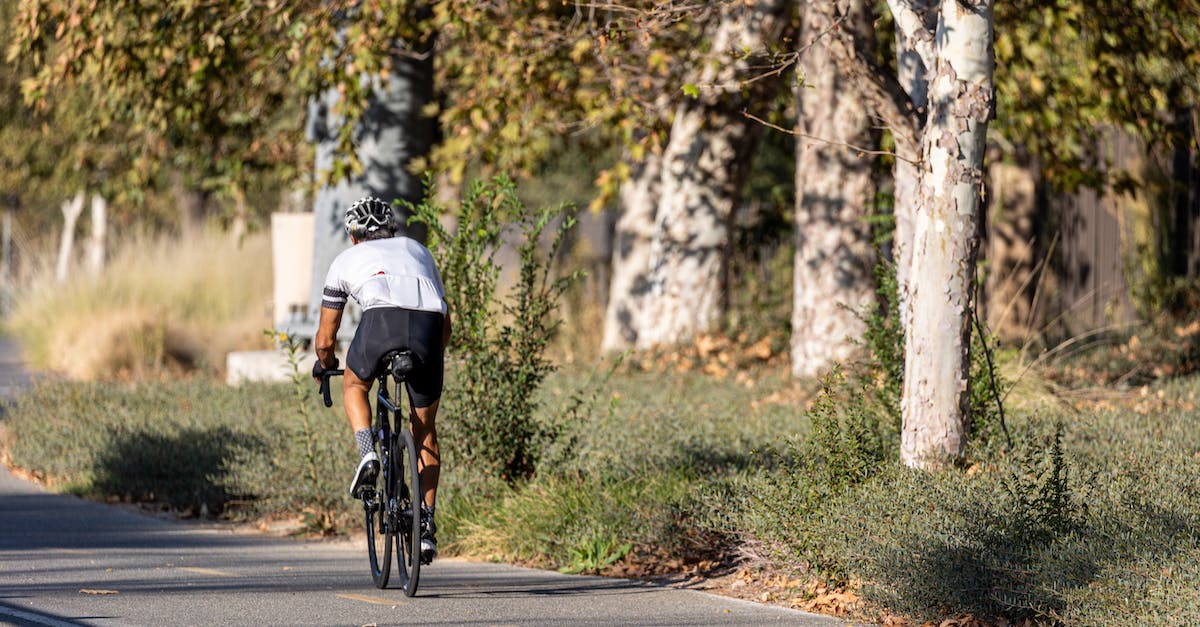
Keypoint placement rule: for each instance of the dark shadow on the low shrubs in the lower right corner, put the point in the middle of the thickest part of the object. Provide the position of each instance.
(989, 565)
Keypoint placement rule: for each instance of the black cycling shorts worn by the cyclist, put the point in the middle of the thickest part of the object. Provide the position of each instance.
(385, 330)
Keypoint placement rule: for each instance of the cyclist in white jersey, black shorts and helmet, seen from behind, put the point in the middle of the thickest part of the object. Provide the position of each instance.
(397, 283)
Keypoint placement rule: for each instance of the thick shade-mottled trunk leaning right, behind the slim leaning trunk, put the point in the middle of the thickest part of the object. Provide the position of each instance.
(704, 168)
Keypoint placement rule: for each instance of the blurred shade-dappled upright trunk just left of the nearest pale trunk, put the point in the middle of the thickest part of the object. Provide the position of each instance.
(835, 259)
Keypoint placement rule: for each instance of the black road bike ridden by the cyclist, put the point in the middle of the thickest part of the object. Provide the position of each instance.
(393, 507)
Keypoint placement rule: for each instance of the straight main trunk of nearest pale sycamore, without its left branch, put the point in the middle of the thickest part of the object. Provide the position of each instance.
(946, 237)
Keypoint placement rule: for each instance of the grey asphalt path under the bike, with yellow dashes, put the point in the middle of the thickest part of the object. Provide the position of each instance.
(68, 562)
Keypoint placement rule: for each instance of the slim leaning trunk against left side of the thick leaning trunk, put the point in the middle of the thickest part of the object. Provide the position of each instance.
(632, 254)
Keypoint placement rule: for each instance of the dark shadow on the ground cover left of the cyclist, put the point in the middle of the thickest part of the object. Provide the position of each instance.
(189, 470)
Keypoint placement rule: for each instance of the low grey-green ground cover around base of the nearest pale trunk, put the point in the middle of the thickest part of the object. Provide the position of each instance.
(1089, 522)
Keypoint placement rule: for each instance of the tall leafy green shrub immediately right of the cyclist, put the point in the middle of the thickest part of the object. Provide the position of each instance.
(500, 342)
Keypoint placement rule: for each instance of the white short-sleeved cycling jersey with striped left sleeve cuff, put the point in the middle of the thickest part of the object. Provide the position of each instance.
(386, 273)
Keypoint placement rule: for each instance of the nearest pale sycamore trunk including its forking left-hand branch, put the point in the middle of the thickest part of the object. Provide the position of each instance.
(944, 145)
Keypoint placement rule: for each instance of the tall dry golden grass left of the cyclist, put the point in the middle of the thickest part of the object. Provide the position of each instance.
(160, 304)
